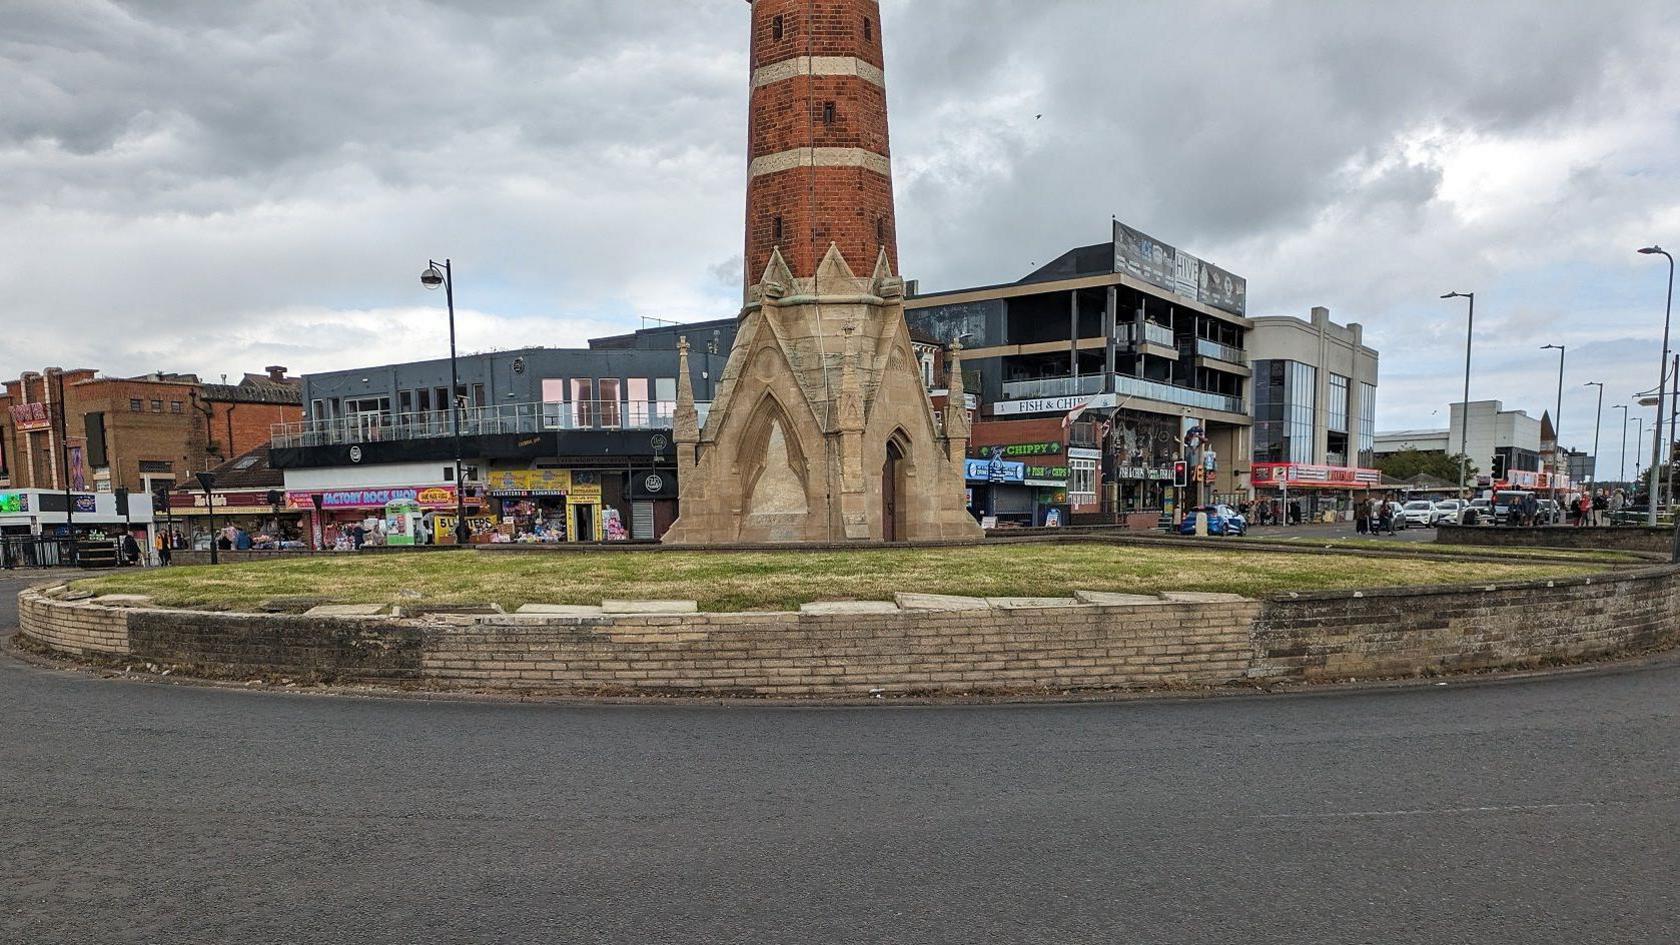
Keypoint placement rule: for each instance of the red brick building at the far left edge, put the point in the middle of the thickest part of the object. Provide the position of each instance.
(137, 433)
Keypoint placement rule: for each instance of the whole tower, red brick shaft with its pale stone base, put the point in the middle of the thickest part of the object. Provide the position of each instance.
(822, 428)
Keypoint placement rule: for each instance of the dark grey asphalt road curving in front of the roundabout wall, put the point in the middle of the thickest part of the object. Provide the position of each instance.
(1525, 813)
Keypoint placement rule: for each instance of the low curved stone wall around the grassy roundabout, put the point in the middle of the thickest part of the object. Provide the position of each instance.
(1098, 641)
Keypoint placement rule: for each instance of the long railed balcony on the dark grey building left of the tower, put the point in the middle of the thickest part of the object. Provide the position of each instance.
(480, 421)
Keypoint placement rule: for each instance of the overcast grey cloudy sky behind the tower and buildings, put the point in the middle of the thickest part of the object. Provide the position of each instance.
(216, 187)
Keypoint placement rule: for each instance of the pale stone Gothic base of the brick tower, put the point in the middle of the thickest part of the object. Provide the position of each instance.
(822, 428)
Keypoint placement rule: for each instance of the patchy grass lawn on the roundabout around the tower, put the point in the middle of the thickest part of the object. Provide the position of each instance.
(782, 581)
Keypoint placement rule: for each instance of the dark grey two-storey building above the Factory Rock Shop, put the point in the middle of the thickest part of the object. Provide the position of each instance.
(555, 443)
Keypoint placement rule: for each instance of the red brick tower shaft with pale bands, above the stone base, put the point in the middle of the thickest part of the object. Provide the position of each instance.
(817, 137)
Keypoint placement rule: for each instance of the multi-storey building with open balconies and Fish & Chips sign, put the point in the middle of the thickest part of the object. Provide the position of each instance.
(1143, 342)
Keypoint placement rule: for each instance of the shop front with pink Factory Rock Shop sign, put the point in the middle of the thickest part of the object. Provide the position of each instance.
(333, 515)
